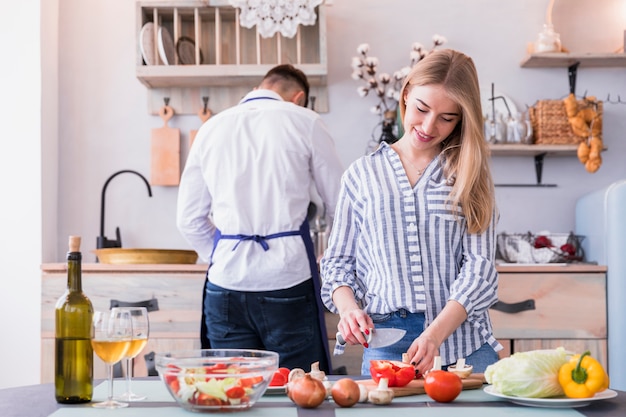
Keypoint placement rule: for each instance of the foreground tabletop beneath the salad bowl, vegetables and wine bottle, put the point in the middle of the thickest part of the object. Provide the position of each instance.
(38, 401)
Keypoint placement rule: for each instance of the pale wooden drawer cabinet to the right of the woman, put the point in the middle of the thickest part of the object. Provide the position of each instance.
(566, 307)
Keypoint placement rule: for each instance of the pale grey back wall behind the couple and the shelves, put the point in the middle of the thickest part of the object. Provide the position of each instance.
(104, 125)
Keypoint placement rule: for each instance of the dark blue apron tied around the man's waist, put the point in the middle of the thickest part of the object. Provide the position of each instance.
(305, 233)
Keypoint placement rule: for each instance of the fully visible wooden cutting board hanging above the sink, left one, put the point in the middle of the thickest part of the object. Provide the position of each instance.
(165, 151)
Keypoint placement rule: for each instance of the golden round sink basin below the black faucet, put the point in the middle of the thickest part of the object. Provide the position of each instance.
(145, 256)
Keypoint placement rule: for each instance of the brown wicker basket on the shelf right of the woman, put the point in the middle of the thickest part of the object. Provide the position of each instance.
(550, 123)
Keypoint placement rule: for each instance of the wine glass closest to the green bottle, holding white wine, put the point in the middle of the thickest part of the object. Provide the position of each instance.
(111, 335)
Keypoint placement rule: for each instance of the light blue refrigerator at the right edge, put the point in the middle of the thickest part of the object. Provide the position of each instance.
(601, 218)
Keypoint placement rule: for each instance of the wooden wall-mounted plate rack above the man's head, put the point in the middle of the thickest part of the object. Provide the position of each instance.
(212, 55)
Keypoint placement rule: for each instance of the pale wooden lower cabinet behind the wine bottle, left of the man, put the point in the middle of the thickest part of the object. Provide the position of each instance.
(175, 325)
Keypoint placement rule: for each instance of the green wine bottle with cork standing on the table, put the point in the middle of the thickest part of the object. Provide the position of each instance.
(73, 372)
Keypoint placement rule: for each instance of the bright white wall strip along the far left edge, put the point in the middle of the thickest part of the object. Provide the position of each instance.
(21, 207)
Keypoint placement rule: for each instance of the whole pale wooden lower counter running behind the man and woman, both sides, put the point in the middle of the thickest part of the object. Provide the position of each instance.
(177, 288)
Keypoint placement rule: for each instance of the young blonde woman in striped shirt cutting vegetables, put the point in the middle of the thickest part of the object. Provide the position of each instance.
(414, 237)
